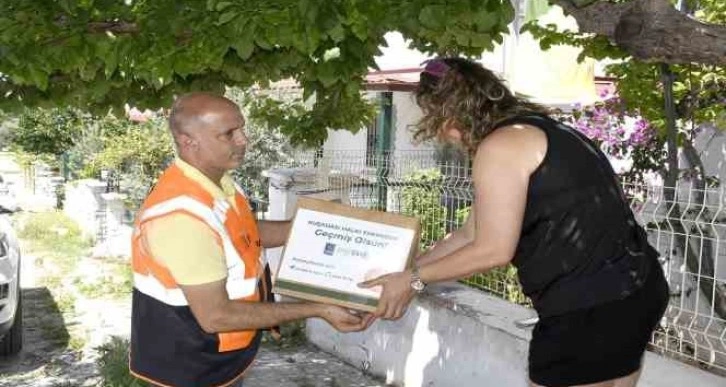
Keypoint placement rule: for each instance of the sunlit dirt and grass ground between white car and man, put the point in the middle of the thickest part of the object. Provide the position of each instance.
(72, 304)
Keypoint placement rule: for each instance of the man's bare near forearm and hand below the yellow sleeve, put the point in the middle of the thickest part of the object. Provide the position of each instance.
(215, 312)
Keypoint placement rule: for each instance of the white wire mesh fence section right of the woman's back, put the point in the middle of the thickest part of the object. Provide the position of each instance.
(688, 227)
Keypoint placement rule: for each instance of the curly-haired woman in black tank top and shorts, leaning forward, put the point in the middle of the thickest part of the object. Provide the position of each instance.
(547, 200)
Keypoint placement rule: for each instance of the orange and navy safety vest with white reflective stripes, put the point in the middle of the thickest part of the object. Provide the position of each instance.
(168, 347)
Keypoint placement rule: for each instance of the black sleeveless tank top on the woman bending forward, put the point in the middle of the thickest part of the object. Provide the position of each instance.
(580, 244)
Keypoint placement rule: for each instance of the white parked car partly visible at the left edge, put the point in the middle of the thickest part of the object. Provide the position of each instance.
(11, 303)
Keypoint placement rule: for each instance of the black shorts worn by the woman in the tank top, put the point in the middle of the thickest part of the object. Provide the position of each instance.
(600, 343)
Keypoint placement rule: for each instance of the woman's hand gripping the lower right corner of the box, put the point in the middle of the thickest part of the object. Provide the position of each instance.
(396, 295)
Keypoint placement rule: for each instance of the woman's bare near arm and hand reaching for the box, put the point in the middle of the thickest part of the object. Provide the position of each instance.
(502, 167)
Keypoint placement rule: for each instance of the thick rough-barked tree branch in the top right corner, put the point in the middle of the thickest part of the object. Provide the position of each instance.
(652, 31)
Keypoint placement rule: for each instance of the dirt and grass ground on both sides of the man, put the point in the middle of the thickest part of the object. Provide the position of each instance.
(74, 304)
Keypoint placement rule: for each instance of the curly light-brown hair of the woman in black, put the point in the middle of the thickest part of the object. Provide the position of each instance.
(472, 97)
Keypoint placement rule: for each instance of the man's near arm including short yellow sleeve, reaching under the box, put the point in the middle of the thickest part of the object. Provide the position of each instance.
(199, 267)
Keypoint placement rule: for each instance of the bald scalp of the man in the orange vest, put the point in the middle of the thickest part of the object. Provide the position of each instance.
(195, 111)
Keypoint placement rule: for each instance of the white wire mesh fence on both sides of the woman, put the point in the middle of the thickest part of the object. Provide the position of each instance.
(686, 225)
